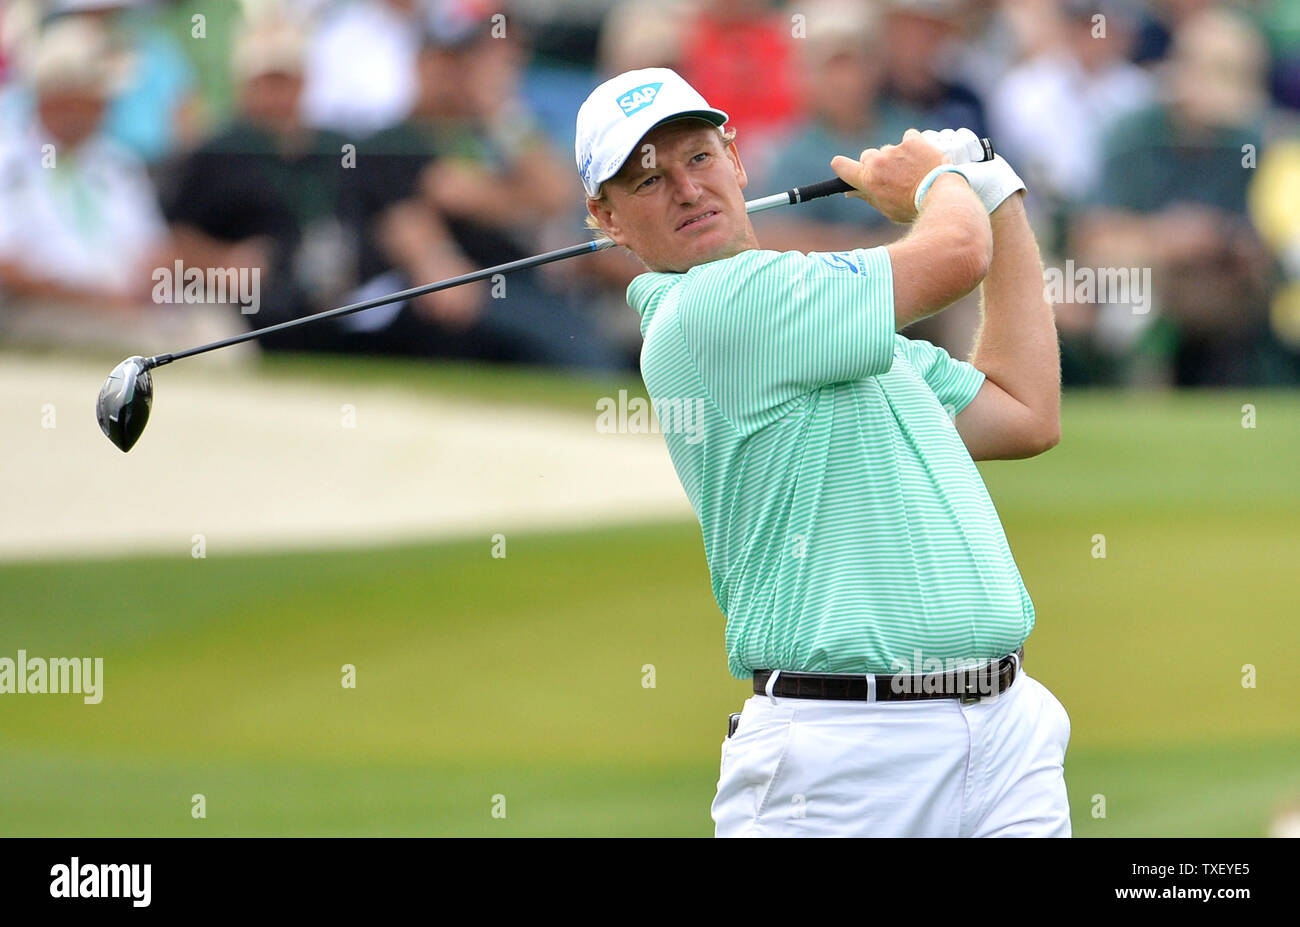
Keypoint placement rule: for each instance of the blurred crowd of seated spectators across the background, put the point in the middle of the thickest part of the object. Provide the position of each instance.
(339, 150)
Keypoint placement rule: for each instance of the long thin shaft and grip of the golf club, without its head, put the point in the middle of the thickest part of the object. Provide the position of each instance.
(801, 194)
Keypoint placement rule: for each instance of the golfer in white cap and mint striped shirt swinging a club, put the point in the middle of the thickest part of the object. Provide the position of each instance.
(868, 584)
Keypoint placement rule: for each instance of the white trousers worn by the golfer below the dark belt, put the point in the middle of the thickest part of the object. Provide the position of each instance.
(804, 768)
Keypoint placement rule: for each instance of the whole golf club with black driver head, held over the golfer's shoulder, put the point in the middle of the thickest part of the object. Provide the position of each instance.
(127, 397)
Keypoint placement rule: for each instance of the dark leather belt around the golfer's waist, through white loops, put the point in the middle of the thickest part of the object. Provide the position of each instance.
(969, 686)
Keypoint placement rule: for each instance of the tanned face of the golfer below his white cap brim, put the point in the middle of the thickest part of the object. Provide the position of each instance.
(678, 201)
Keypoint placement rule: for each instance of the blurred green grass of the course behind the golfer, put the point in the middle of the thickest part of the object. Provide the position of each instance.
(523, 677)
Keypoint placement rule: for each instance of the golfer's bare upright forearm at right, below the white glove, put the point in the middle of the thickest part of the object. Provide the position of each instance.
(1017, 344)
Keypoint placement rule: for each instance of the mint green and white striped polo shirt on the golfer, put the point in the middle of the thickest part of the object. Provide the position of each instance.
(846, 525)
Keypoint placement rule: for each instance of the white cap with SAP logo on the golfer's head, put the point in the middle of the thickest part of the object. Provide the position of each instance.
(619, 112)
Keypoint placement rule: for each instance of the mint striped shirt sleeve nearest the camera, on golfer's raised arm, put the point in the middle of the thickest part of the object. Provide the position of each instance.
(766, 328)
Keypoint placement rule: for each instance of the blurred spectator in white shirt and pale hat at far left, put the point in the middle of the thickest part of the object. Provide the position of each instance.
(81, 233)
